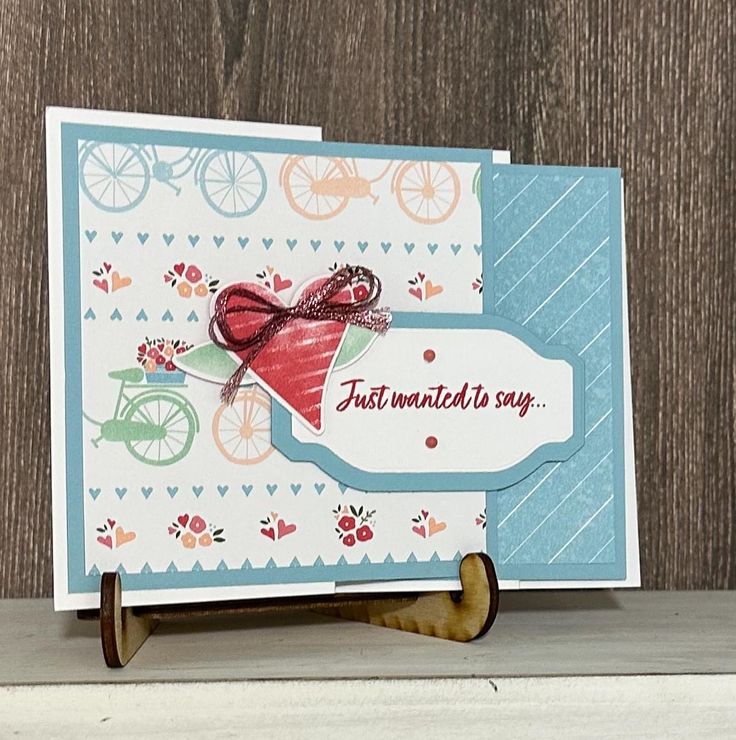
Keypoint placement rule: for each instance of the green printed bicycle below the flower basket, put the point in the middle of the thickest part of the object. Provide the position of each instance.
(157, 425)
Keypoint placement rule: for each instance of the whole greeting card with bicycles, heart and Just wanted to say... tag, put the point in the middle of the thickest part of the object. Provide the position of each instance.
(284, 366)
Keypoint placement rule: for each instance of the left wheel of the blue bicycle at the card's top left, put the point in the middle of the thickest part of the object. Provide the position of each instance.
(115, 177)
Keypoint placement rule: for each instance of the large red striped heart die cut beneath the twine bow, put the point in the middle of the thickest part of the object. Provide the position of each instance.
(295, 364)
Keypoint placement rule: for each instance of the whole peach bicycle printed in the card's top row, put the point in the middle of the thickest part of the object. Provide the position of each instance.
(320, 188)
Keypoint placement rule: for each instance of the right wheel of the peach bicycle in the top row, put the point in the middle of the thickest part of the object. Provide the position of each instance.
(427, 192)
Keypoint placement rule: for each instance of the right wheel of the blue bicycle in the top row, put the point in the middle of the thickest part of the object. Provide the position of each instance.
(233, 183)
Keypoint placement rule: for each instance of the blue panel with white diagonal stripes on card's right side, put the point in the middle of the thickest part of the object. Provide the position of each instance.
(555, 268)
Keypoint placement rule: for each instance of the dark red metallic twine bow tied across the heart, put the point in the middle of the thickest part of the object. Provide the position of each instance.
(317, 305)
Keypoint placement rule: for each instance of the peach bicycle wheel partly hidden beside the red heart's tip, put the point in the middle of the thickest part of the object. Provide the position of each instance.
(242, 432)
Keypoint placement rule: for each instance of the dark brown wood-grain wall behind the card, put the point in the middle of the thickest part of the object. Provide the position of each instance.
(646, 86)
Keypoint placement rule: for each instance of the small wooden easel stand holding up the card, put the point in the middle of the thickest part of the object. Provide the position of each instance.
(461, 616)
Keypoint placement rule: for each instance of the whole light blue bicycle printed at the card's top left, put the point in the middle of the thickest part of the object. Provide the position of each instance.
(116, 177)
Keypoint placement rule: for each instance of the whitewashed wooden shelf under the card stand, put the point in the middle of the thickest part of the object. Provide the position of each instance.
(555, 664)
